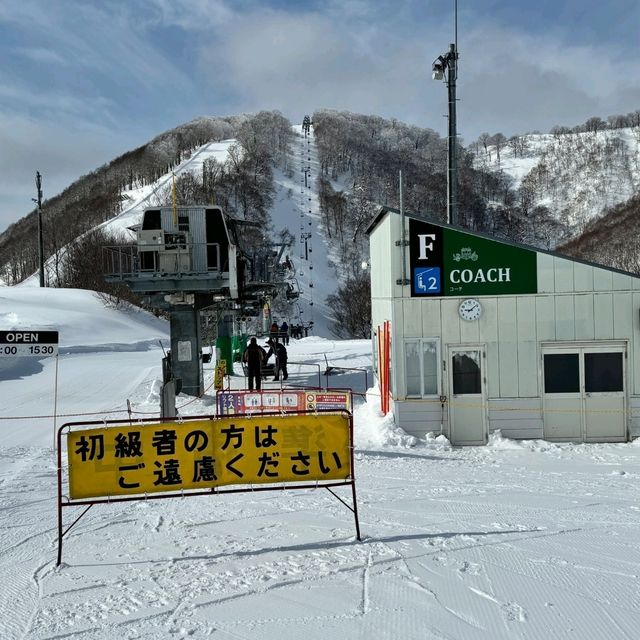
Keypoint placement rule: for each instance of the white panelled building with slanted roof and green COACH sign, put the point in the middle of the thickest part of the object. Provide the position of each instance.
(487, 335)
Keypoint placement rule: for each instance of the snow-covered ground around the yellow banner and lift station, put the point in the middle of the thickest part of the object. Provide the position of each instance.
(514, 540)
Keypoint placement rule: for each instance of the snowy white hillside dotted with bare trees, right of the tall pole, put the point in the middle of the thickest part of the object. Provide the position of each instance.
(576, 176)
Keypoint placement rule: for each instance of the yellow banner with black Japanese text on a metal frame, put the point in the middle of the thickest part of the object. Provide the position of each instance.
(203, 454)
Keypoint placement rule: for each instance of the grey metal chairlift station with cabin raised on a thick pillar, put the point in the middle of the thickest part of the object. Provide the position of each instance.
(188, 261)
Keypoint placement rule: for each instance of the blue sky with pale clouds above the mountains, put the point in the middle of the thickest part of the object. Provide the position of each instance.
(82, 81)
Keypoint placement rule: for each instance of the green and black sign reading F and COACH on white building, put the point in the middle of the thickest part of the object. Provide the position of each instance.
(446, 262)
